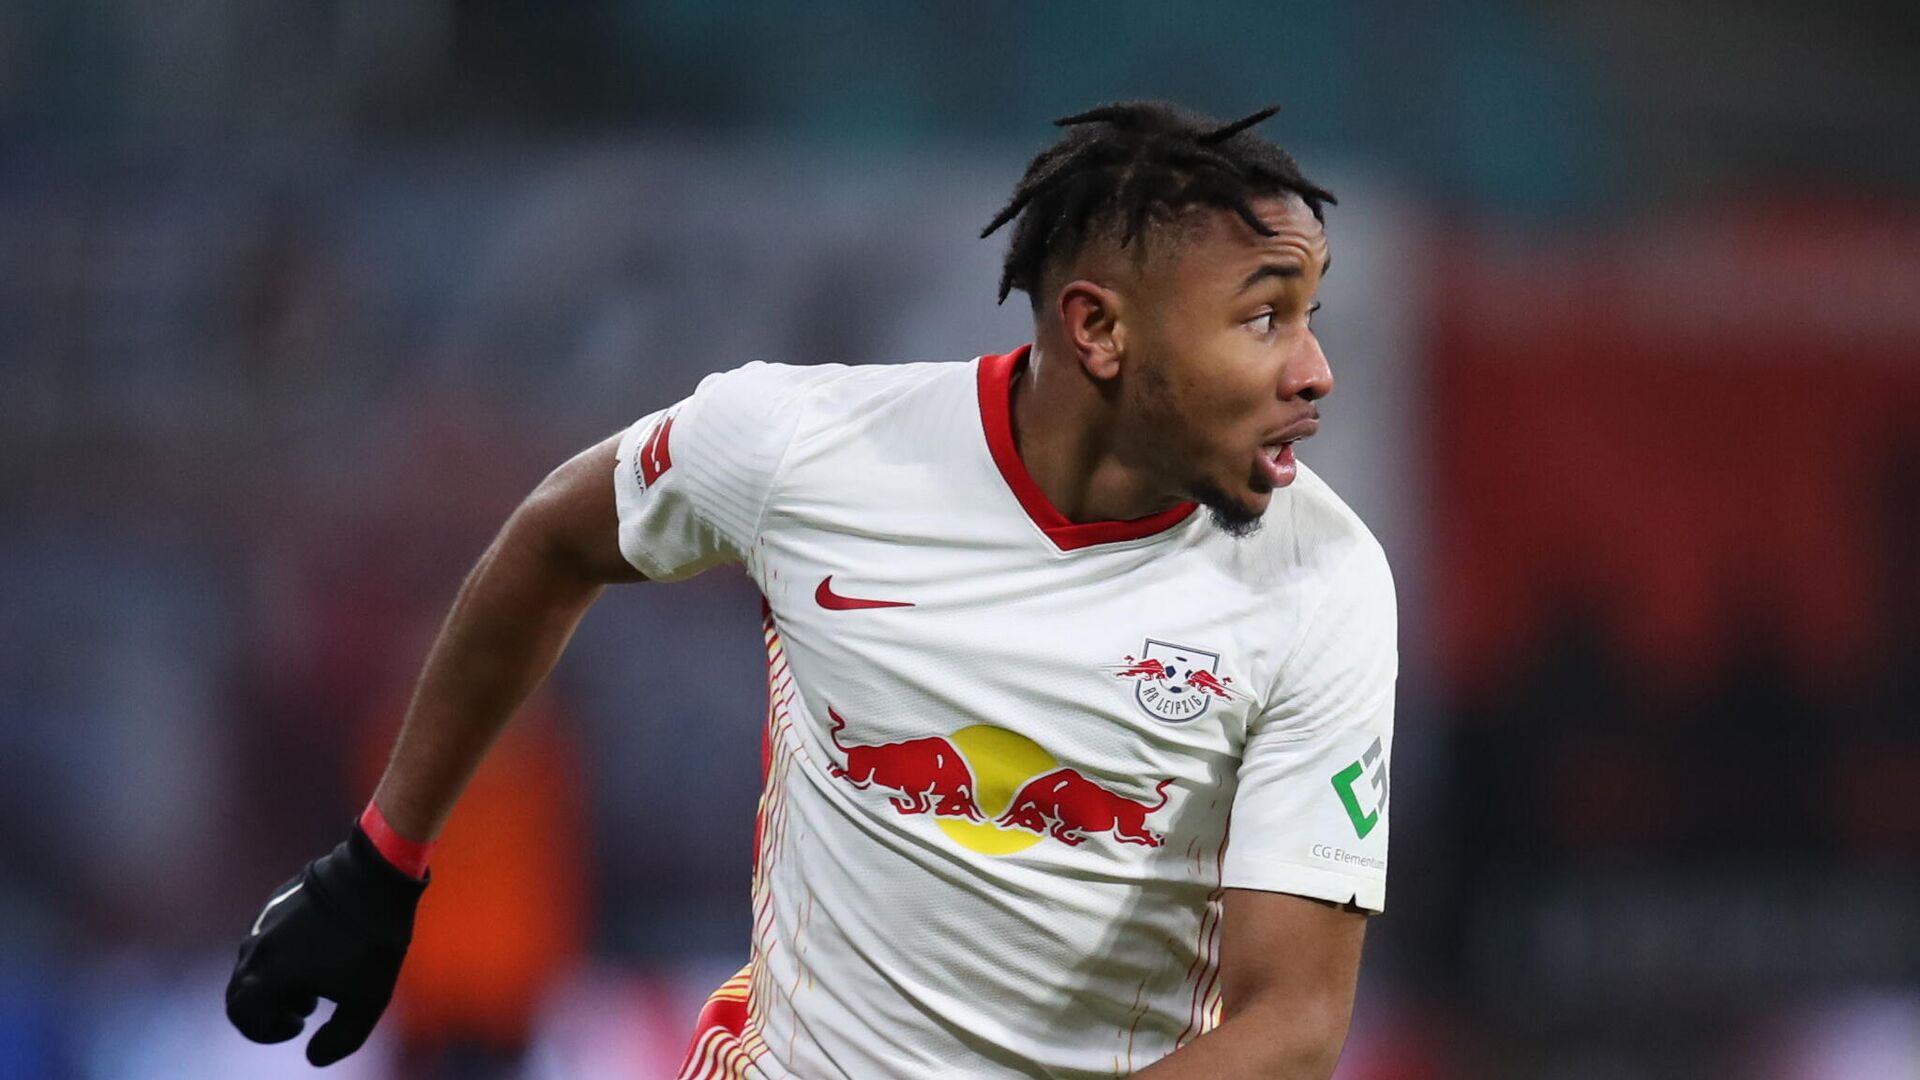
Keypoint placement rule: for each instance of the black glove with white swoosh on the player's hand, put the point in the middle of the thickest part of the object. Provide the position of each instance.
(339, 931)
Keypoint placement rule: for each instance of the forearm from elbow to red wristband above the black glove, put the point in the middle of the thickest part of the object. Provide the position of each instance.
(510, 624)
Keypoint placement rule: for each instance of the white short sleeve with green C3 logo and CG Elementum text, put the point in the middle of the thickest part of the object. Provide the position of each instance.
(1312, 810)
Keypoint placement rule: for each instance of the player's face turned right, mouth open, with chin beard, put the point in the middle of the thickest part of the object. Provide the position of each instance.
(1224, 366)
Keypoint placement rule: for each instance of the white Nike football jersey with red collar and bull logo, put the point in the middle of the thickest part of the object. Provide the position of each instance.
(1005, 750)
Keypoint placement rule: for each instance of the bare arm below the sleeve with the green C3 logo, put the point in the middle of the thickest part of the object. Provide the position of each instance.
(1289, 970)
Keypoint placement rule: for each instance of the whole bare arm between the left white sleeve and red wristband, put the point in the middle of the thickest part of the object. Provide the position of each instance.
(508, 627)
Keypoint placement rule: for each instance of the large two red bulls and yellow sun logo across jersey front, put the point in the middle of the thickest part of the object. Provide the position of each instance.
(996, 791)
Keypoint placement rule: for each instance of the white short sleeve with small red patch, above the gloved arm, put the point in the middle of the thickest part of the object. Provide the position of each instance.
(692, 479)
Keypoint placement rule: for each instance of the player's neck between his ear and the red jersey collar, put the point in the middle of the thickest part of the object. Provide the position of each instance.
(1067, 435)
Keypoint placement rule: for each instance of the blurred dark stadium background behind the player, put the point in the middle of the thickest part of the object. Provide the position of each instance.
(299, 299)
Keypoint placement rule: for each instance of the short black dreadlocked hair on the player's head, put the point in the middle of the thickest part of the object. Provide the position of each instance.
(1132, 164)
